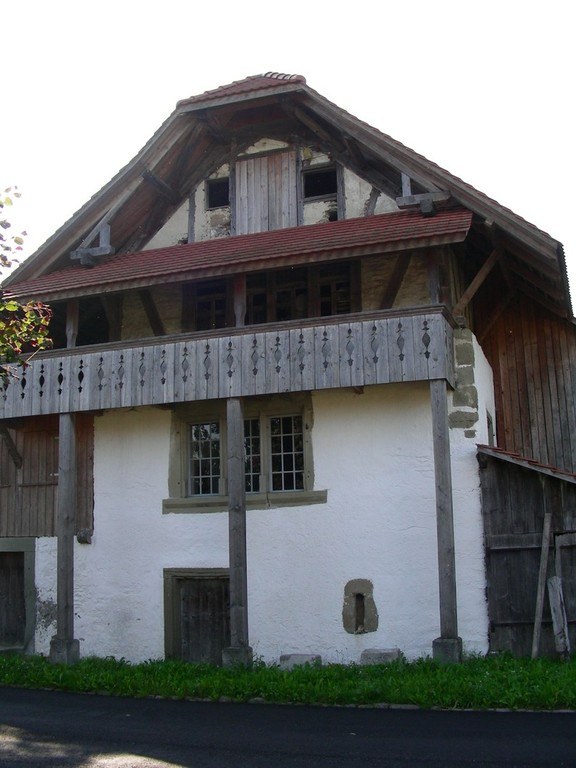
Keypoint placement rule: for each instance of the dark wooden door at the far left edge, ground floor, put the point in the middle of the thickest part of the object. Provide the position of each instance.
(12, 600)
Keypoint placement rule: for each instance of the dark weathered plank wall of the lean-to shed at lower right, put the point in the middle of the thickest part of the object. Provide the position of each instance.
(513, 513)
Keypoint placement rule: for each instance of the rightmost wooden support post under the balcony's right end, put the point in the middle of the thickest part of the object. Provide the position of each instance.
(447, 647)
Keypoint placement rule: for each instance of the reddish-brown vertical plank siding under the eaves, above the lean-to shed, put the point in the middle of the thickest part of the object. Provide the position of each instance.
(533, 357)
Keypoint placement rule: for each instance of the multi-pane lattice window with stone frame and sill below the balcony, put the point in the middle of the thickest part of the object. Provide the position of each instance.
(278, 454)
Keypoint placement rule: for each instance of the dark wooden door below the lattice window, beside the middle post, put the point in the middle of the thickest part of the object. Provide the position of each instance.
(204, 619)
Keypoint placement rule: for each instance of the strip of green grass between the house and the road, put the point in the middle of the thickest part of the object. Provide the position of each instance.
(478, 683)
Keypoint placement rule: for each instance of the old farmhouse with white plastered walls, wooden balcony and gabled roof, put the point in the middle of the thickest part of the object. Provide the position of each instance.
(308, 393)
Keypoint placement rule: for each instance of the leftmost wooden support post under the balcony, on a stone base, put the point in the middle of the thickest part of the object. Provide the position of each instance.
(64, 649)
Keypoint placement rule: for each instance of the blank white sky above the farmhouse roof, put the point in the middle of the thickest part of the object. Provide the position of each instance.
(484, 89)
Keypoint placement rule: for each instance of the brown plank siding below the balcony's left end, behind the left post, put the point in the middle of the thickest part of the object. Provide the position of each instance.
(28, 494)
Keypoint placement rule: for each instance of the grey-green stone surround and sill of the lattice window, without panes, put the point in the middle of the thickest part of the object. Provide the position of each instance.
(262, 409)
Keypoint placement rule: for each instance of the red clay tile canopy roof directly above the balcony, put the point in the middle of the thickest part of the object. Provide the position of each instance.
(373, 234)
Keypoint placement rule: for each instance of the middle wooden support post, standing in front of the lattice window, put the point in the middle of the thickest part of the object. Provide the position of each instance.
(240, 651)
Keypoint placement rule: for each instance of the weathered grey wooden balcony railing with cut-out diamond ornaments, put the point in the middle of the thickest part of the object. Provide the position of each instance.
(352, 351)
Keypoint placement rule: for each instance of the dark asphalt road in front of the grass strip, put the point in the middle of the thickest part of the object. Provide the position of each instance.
(45, 729)
